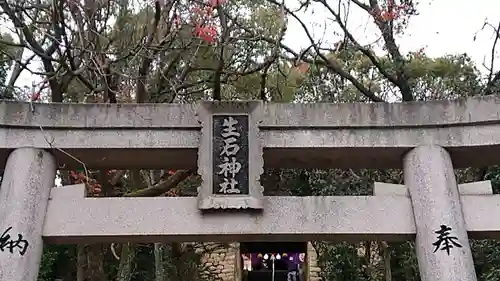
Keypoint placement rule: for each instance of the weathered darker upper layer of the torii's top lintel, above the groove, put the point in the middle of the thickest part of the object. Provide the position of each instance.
(477, 110)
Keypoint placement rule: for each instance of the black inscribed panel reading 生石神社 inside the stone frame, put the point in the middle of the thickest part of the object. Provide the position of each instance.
(230, 155)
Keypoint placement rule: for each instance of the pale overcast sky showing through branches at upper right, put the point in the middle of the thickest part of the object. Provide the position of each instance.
(442, 27)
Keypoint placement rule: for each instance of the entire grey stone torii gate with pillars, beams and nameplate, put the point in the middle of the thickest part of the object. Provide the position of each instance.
(424, 138)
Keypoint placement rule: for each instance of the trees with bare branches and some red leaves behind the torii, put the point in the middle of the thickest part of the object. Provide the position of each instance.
(186, 50)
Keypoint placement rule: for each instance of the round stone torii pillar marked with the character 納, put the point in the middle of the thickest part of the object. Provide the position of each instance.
(24, 194)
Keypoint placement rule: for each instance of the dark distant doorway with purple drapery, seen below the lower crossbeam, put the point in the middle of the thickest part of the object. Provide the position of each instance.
(273, 261)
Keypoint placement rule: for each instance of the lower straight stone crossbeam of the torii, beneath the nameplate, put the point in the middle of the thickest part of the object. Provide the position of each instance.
(71, 218)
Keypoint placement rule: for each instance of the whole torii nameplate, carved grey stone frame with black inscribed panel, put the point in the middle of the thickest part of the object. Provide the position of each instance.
(230, 158)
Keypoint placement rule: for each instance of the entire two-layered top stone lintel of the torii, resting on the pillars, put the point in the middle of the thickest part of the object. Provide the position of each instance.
(356, 135)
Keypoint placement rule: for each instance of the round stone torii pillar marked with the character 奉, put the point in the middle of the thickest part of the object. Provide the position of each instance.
(442, 244)
